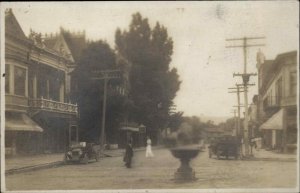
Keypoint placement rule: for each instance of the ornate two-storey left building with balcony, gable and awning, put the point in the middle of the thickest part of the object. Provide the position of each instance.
(39, 116)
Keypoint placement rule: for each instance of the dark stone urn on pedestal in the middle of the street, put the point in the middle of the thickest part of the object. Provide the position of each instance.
(185, 154)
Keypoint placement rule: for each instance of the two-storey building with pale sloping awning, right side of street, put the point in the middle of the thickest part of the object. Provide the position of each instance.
(277, 101)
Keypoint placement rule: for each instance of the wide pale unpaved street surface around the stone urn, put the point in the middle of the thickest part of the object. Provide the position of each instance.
(157, 173)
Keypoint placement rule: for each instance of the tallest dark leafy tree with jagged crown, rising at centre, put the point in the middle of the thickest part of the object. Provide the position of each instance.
(153, 85)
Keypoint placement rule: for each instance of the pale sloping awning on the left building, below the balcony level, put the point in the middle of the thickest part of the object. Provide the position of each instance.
(20, 122)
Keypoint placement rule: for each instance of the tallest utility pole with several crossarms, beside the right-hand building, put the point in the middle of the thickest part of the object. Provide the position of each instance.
(245, 76)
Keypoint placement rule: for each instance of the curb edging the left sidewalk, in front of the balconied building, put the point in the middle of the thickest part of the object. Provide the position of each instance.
(33, 168)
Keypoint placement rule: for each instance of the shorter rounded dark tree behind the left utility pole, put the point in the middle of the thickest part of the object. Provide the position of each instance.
(89, 94)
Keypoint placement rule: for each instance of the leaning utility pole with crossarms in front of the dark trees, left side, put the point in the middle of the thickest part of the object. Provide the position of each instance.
(105, 75)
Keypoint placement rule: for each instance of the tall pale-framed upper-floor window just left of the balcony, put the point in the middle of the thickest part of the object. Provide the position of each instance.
(20, 80)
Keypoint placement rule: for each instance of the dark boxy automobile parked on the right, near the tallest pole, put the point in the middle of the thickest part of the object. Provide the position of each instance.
(225, 146)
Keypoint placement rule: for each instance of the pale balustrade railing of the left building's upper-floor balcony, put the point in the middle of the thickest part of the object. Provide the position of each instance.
(54, 106)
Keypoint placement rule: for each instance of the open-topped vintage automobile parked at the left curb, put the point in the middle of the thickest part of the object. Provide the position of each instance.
(82, 152)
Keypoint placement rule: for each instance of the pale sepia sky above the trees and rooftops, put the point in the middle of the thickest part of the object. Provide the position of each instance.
(199, 31)
